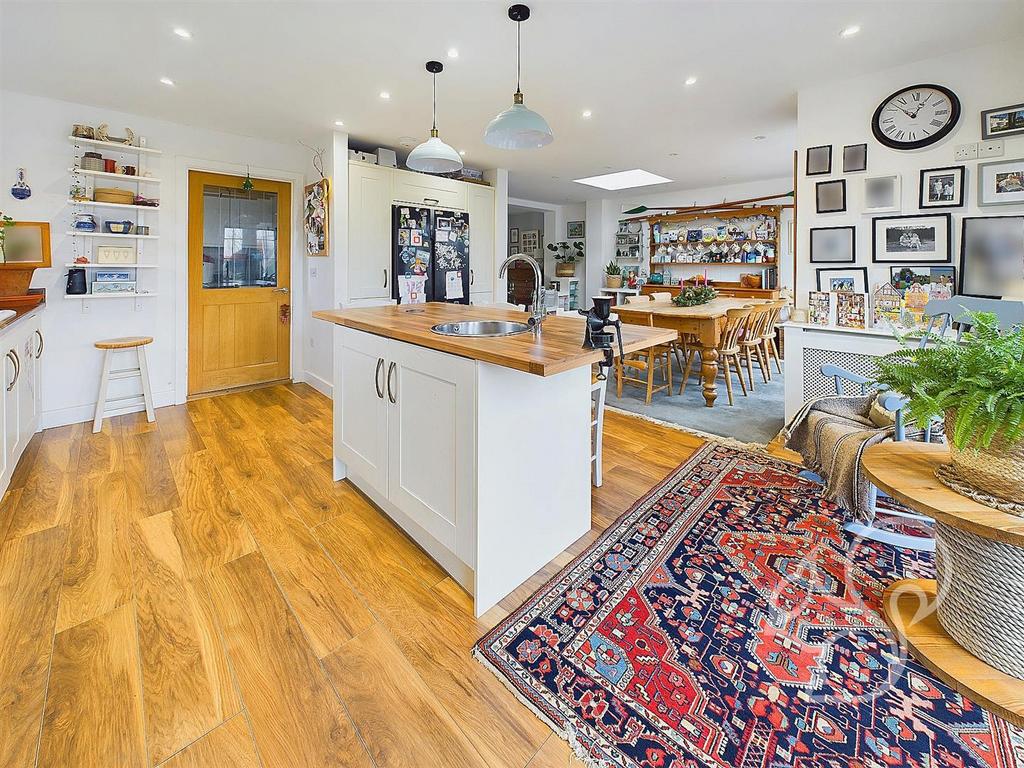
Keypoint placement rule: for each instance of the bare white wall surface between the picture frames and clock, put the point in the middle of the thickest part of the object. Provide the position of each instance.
(840, 114)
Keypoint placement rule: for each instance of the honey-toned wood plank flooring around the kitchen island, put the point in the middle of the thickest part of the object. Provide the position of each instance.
(197, 593)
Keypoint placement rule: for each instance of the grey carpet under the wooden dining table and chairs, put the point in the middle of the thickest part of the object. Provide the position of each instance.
(756, 418)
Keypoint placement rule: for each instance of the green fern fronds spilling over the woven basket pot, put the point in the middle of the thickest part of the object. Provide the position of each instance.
(979, 381)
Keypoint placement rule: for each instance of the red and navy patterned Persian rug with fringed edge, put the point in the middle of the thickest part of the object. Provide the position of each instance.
(728, 620)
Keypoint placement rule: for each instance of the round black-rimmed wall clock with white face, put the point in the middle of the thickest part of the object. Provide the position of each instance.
(917, 116)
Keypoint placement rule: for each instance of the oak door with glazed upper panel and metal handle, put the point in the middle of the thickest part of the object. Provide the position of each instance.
(239, 282)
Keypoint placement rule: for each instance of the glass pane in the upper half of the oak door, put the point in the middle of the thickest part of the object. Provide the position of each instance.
(240, 238)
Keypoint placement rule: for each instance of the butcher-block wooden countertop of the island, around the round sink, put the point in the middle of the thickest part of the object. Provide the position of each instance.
(560, 348)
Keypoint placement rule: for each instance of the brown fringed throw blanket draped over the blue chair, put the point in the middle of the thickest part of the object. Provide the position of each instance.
(832, 434)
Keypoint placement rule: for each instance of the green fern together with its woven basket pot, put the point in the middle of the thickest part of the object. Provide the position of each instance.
(977, 387)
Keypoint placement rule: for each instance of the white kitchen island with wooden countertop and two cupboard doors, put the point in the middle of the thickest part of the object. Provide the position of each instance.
(479, 448)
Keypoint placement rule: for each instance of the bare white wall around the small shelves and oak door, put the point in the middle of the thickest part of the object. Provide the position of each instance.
(33, 136)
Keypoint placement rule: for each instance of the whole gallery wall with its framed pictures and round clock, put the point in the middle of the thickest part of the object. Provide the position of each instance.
(911, 185)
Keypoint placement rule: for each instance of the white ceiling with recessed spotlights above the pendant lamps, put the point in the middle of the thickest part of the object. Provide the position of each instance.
(288, 70)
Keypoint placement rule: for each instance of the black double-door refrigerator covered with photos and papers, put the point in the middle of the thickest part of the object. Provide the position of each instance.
(431, 255)
